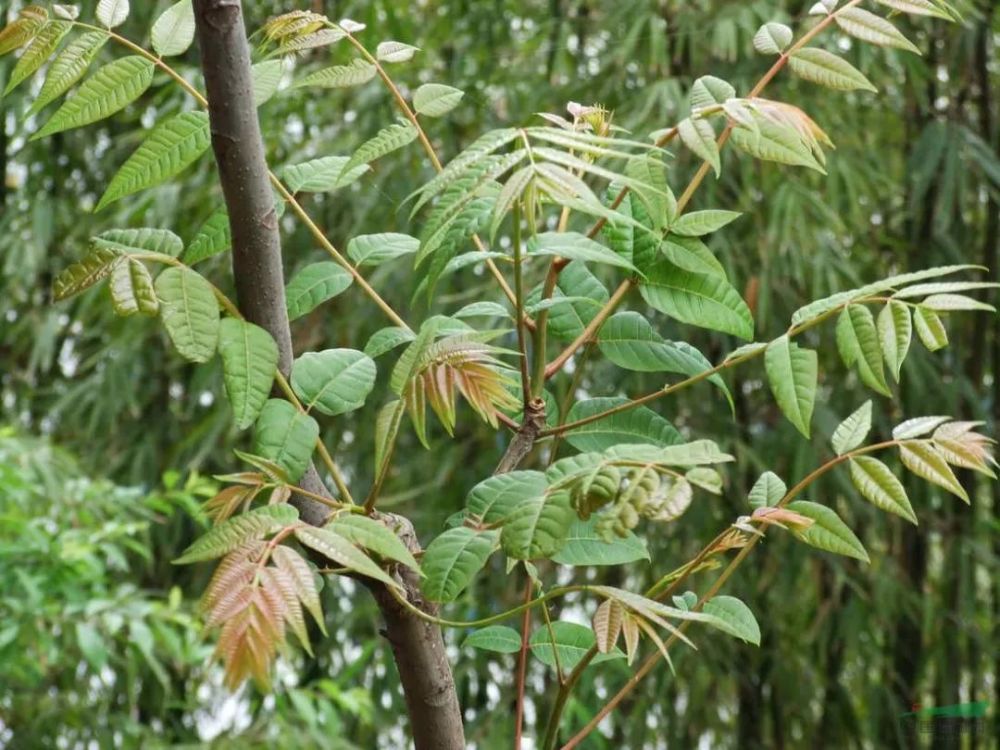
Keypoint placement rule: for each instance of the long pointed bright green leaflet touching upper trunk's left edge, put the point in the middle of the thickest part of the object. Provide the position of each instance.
(173, 146)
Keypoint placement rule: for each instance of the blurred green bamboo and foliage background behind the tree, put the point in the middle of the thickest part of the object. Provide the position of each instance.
(108, 440)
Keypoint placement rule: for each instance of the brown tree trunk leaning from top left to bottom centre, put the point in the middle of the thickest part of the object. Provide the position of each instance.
(417, 645)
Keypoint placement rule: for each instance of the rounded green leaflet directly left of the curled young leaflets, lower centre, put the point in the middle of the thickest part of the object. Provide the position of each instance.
(538, 526)
